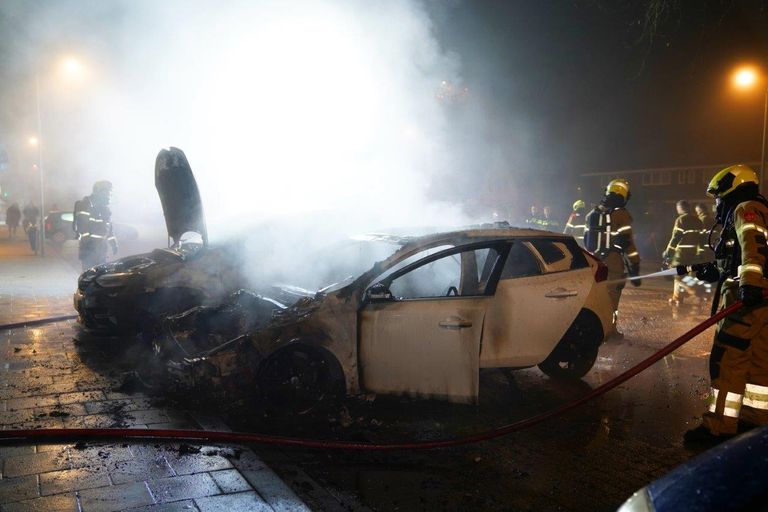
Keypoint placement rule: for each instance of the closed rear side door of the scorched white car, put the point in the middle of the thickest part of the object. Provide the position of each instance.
(542, 288)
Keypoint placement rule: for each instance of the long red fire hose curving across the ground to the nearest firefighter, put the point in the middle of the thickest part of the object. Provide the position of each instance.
(208, 437)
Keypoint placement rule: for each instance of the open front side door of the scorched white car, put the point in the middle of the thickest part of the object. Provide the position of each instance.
(422, 335)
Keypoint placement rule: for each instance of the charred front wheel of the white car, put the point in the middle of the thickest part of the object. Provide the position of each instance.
(299, 380)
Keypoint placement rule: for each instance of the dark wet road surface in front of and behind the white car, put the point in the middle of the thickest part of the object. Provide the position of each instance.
(590, 459)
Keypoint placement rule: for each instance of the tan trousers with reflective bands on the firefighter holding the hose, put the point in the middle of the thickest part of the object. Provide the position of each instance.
(738, 368)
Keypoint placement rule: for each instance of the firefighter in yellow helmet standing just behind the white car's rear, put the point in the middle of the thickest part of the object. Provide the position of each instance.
(609, 236)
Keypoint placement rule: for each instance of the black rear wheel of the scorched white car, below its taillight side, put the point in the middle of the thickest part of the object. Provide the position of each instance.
(576, 352)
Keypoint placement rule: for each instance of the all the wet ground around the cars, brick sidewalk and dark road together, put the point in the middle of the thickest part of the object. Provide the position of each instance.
(592, 458)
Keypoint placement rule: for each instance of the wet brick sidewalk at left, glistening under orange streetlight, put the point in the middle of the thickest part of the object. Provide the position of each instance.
(49, 379)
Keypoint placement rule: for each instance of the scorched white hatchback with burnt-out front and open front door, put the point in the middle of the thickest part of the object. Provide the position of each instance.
(421, 322)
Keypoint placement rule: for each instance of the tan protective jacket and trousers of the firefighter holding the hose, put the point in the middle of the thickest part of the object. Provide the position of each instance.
(739, 358)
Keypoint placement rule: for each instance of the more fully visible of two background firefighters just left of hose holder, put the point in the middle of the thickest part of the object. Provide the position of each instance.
(682, 247)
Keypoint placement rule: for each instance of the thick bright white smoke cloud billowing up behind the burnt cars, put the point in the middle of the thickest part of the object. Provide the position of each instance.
(327, 115)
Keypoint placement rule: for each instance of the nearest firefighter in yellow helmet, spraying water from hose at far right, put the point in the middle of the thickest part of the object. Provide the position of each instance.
(738, 363)
